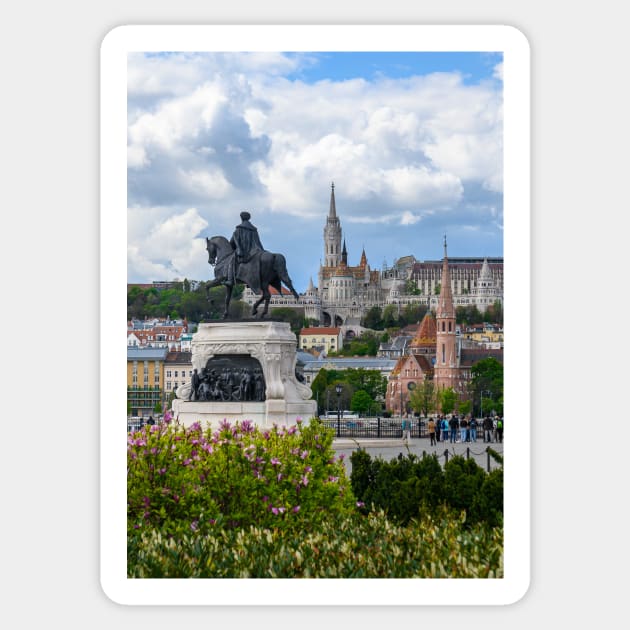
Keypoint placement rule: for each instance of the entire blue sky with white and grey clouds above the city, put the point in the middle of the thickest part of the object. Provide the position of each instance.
(412, 141)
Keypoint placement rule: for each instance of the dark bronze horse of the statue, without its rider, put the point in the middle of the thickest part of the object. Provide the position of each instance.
(263, 270)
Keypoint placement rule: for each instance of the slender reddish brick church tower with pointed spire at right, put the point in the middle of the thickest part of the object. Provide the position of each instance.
(446, 361)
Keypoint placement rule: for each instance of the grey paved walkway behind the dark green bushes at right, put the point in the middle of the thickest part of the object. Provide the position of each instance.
(389, 449)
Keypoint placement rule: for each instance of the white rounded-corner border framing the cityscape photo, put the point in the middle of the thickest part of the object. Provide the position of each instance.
(113, 273)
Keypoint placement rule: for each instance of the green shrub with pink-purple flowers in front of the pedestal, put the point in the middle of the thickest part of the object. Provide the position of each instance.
(190, 479)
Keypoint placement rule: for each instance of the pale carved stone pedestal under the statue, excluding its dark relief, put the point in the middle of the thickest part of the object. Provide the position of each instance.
(273, 345)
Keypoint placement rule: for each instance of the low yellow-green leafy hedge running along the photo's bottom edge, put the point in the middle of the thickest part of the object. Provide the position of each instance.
(351, 547)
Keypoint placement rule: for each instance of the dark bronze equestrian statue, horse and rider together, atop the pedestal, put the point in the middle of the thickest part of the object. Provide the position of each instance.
(243, 260)
